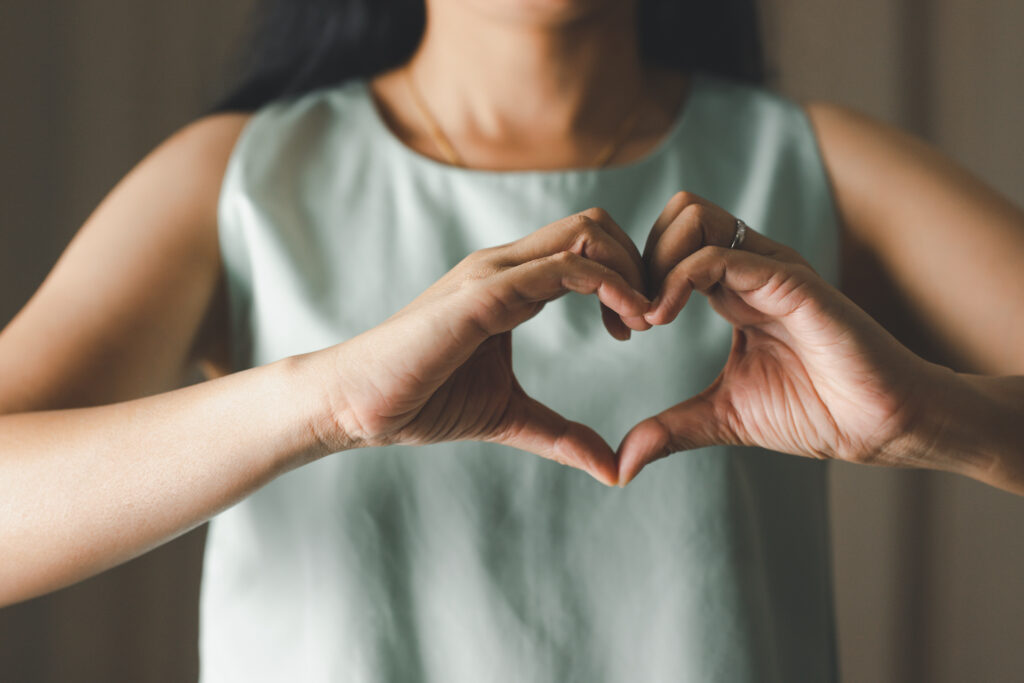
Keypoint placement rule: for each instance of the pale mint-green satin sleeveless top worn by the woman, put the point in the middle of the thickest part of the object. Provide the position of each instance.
(471, 563)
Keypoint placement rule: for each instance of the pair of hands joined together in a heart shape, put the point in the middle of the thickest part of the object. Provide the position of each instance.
(809, 373)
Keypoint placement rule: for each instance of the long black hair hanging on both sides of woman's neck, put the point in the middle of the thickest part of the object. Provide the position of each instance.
(295, 47)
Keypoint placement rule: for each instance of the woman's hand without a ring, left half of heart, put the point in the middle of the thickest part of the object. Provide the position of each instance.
(441, 369)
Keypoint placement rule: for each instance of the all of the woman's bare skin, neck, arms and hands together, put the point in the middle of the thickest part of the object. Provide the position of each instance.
(104, 457)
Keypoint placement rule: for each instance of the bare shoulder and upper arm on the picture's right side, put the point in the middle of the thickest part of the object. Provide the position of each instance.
(917, 220)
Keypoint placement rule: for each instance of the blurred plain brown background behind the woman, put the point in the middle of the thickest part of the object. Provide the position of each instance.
(929, 568)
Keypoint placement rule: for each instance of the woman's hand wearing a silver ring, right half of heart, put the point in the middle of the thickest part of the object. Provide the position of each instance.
(809, 374)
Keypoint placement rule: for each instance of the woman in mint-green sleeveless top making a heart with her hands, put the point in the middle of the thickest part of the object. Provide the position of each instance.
(349, 263)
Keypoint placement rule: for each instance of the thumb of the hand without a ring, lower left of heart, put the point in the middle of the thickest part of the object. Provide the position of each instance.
(537, 429)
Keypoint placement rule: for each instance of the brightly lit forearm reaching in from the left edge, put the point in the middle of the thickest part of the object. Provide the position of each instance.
(84, 490)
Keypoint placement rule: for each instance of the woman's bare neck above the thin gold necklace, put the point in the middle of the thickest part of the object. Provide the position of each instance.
(493, 78)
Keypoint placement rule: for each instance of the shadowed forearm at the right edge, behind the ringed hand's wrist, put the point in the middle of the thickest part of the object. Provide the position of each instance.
(976, 429)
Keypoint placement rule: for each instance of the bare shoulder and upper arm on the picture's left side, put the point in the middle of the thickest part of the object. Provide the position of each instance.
(136, 294)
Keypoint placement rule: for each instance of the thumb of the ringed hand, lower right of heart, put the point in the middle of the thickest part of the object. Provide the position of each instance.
(692, 424)
